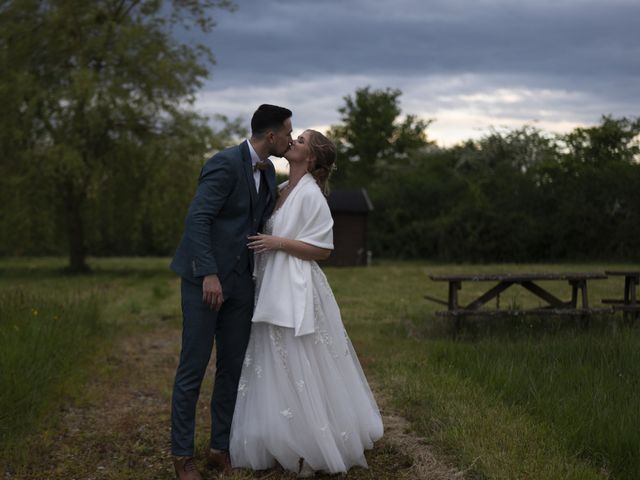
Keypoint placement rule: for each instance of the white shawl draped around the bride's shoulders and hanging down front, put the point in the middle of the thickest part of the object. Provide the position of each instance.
(285, 295)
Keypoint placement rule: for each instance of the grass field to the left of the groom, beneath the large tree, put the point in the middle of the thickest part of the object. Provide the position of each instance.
(55, 329)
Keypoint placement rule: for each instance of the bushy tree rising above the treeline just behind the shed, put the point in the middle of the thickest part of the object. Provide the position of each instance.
(371, 138)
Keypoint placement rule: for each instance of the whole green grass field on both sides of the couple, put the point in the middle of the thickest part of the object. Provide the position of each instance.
(507, 399)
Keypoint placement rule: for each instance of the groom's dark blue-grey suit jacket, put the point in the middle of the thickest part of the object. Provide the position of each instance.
(221, 215)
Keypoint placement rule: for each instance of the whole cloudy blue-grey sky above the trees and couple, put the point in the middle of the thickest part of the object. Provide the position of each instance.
(468, 64)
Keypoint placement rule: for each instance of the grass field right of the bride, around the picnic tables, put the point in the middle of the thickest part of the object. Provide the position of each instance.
(523, 398)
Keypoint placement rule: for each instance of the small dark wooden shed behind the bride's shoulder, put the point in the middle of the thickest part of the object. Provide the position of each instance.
(349, 209)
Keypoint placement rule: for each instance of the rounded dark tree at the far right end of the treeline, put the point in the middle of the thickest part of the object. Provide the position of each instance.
(595, 184)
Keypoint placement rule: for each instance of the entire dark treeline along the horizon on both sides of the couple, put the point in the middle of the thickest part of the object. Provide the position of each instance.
(511, 196)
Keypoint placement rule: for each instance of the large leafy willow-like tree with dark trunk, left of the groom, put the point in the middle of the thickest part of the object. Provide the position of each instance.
(91, 88)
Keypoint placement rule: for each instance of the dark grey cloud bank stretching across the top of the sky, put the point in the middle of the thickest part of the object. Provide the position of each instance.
(427, 37)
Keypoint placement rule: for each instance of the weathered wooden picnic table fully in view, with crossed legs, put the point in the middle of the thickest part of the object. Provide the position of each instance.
(531, 282)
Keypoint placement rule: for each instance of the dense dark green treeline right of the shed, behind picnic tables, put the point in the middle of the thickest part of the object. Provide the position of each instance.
(515, 196)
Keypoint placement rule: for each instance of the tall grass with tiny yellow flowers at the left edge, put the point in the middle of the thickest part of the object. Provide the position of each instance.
(43, 342)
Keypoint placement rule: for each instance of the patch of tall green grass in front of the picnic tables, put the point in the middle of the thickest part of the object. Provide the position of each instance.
(584, 385)
